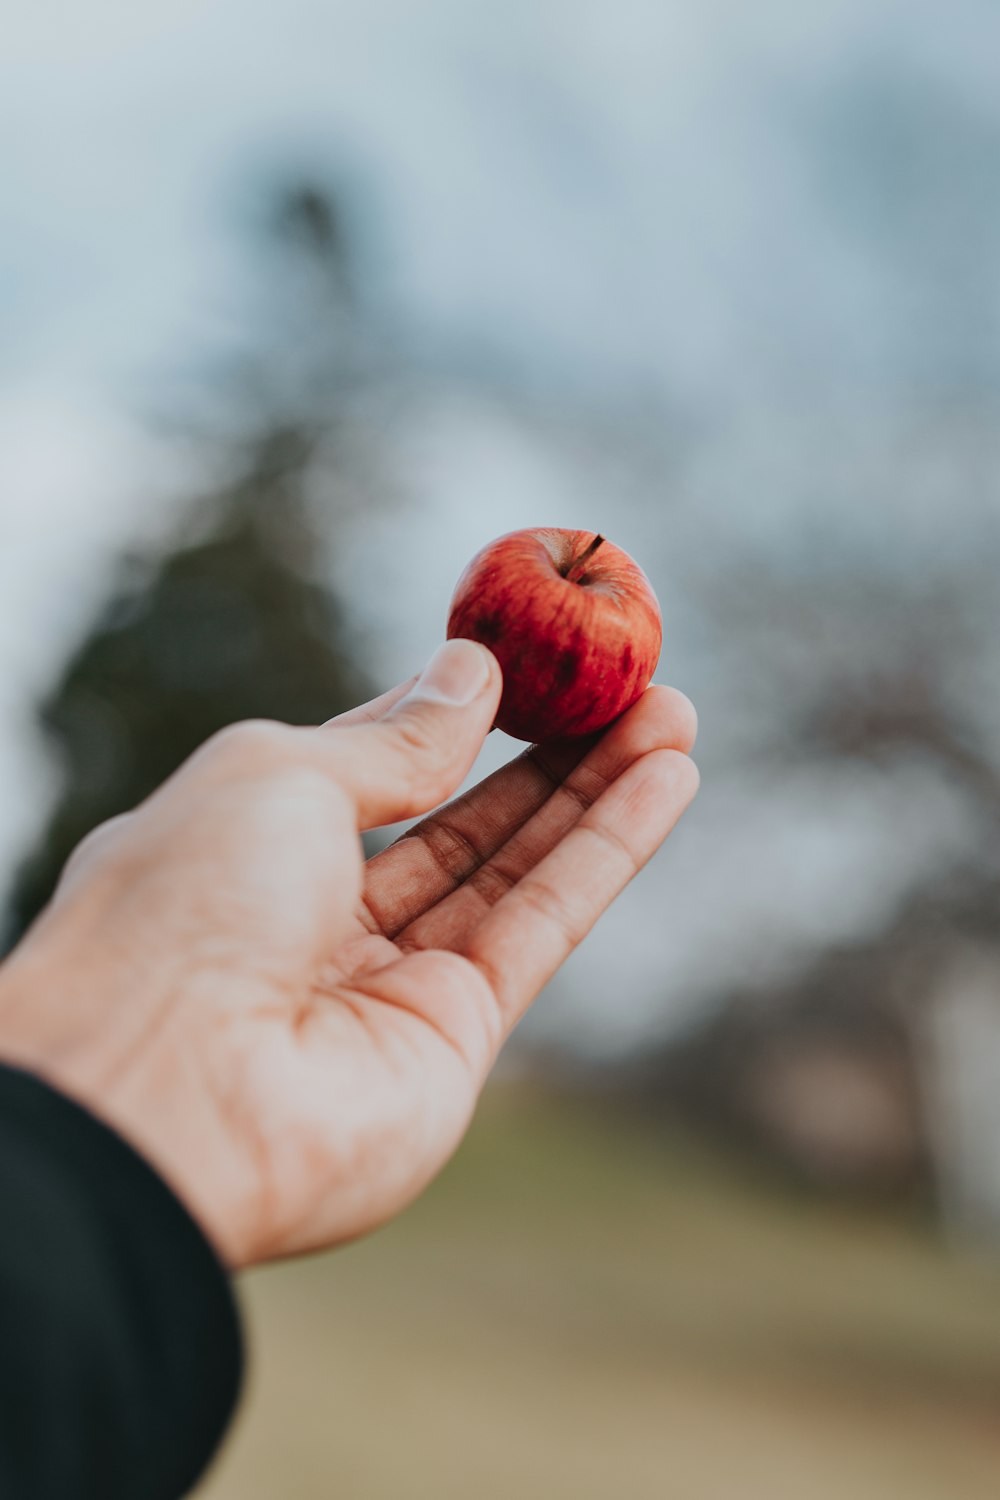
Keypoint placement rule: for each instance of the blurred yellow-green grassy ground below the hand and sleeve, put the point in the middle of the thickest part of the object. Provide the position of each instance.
(579, 1309)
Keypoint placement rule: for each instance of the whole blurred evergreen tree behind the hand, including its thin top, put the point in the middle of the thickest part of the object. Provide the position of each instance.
(226, 625)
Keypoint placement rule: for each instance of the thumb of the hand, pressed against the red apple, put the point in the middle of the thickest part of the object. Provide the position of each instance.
(419, 754)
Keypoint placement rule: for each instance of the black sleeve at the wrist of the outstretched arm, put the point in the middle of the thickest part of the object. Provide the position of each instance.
(121, 1348)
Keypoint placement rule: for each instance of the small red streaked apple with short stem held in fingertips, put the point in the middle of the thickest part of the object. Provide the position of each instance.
(573, 623)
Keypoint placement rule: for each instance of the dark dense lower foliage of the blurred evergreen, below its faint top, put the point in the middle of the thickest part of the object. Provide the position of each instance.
(223, 629)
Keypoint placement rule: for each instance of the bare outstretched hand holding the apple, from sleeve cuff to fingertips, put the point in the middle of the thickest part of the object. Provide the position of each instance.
(298, 1039)
